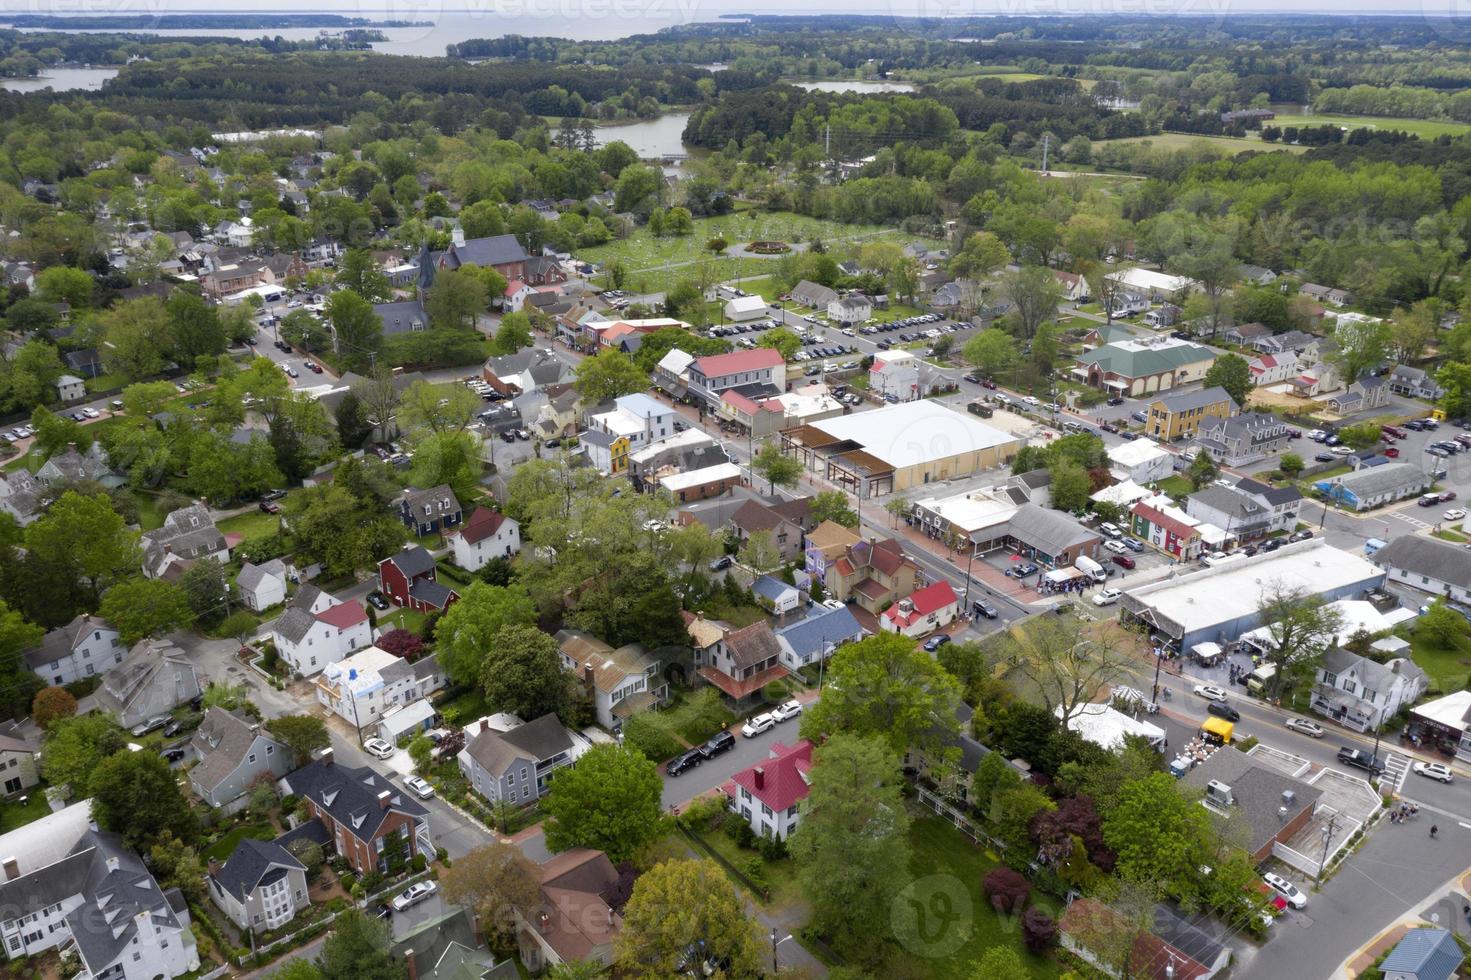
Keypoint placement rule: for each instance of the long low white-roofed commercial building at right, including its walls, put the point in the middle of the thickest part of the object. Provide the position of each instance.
(1217, 606)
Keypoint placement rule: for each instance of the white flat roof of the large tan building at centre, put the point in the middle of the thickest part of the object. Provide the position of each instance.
(914, 433)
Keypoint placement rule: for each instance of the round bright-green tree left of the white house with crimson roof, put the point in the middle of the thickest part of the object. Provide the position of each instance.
(610, 801)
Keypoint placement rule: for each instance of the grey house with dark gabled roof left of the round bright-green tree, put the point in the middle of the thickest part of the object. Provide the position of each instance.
(517, 766)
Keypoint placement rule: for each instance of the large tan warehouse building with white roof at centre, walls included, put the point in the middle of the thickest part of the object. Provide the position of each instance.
(900, 448)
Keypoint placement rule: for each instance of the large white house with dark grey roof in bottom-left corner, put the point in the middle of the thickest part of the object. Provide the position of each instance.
(101, 900)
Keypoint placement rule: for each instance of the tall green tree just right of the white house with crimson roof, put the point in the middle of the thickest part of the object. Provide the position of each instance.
(854, 835)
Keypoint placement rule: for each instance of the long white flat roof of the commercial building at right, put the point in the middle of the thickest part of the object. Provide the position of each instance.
(1233, 591)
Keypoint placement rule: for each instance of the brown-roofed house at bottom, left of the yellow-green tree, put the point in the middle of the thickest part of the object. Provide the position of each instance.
(576, 920)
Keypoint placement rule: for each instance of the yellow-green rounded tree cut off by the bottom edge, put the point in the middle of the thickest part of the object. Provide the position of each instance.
(686, 906)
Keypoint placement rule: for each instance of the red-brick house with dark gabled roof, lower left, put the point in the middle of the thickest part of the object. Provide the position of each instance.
(370, 819)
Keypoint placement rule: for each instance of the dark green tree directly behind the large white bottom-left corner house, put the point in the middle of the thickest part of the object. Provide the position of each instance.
(136, 795)
